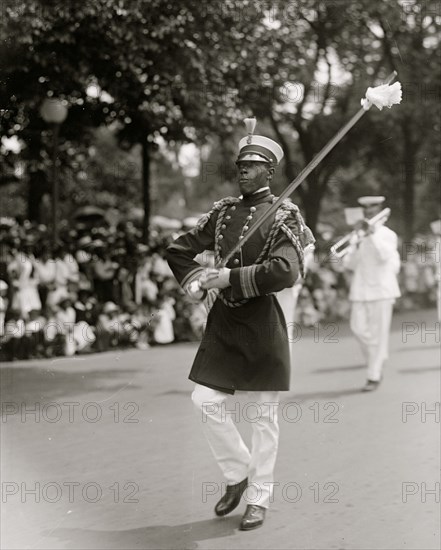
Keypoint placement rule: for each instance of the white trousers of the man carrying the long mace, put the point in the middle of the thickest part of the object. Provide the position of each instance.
(234, 458)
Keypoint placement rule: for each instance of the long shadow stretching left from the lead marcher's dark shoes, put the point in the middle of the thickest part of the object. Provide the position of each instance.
(185, 536)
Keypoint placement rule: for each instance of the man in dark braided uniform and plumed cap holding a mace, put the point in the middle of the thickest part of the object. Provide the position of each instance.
(245, 346)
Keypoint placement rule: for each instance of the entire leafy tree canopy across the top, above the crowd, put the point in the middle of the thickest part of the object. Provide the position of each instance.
(160, 72)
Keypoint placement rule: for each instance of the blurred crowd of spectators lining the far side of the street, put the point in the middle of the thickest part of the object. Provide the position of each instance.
(100, 288)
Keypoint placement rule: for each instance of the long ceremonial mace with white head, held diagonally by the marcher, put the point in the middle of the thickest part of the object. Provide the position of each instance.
(380, 96)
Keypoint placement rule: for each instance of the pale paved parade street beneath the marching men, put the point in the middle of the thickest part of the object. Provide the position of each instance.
(106, 451)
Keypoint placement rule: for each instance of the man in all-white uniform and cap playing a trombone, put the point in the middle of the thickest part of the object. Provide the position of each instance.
(375, 263)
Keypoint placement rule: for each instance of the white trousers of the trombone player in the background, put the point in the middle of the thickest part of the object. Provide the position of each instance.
(370, 322)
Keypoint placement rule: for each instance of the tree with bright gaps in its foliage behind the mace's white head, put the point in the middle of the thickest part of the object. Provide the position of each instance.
(310, 64)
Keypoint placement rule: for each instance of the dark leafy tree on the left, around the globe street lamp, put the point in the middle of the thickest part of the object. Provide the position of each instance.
(151, 63)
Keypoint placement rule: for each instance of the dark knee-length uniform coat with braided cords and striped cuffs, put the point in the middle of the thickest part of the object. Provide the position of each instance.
(245, 345)
